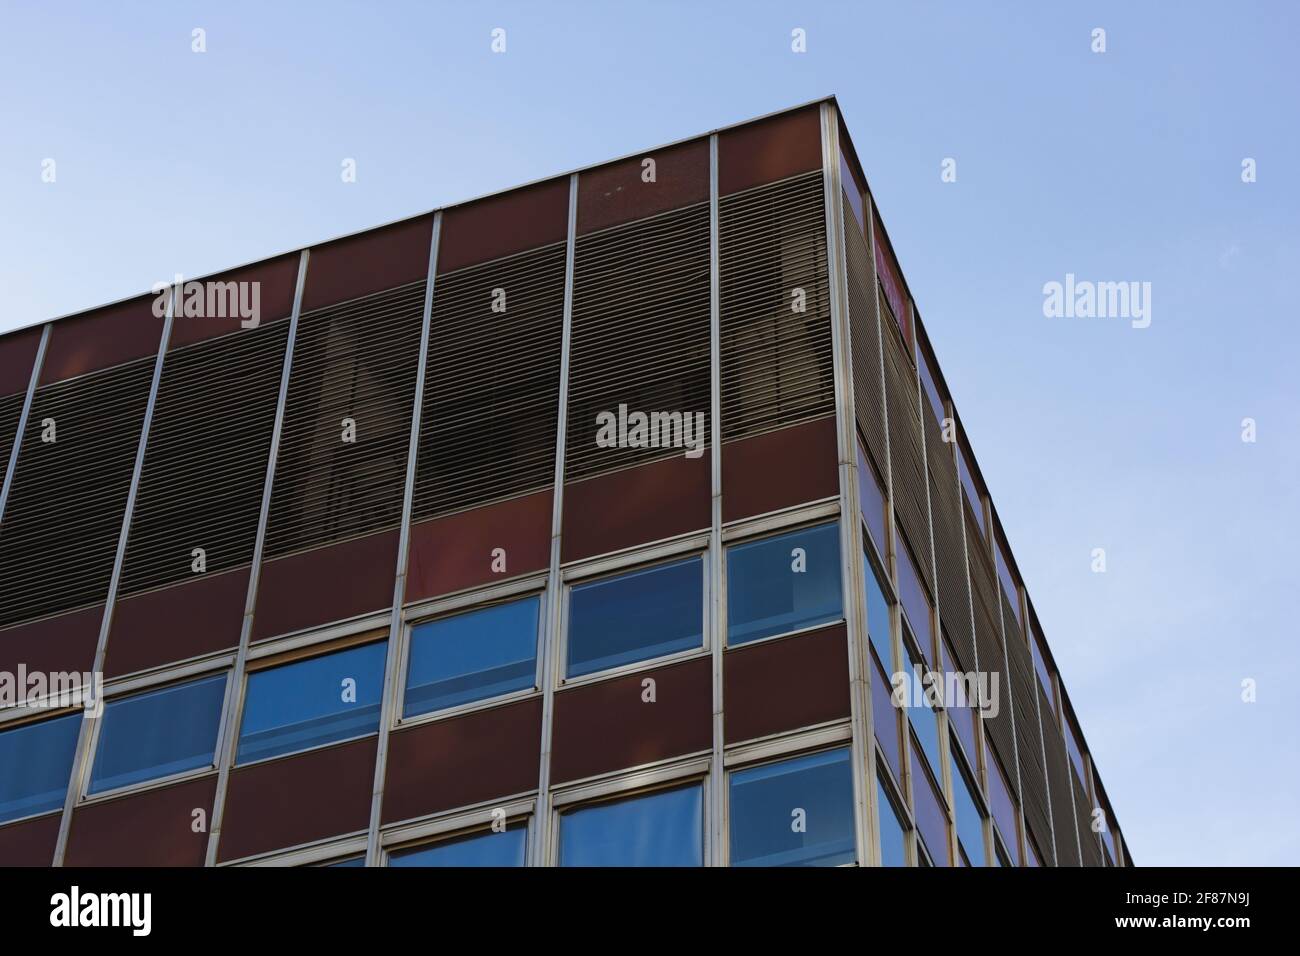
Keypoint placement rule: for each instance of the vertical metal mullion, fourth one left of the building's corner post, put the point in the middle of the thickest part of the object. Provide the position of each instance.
(236, 691)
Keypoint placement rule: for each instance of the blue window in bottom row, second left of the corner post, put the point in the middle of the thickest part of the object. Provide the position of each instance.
(664, 829)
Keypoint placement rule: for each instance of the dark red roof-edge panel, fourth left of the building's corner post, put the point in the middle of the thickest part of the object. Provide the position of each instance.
(369, 262)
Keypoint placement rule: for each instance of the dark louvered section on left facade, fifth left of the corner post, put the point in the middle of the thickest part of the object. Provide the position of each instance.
(206, 460)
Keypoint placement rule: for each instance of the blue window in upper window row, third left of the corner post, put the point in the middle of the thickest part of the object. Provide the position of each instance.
(473, 657)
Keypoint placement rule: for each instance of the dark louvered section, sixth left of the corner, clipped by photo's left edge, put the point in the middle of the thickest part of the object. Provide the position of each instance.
(64, 517)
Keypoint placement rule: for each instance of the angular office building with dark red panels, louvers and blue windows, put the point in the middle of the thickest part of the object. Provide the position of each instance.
(586, 524)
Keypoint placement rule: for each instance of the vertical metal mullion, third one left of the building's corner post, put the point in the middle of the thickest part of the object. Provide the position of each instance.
(391, 699)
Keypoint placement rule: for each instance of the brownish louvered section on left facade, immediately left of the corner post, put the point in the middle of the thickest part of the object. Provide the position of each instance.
(777, 364)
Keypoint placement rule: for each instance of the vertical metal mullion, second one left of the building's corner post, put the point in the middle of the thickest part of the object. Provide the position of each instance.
(544, 843)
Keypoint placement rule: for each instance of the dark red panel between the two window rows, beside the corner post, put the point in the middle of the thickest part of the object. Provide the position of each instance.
(787, 684)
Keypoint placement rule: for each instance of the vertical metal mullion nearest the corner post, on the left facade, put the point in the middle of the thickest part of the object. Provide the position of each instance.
(720, 850)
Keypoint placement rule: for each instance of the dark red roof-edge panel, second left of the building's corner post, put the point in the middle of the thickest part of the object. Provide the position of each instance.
(617, 193)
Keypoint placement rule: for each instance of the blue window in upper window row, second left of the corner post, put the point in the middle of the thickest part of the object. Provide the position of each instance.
(636, 617)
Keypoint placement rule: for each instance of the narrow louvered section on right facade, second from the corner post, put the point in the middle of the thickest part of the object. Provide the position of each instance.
(905, 453)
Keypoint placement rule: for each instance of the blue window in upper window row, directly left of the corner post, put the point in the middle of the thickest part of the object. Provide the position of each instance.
(783, 583)
